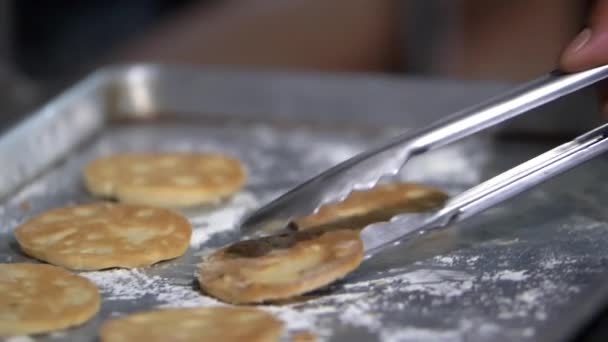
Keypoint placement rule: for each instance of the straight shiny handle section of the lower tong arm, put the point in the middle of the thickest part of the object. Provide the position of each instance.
(525, 176)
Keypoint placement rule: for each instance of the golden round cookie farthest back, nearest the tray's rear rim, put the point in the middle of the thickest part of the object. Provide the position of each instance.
(165, 179)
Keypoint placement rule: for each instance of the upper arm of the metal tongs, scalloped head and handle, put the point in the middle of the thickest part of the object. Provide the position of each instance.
(366, 169)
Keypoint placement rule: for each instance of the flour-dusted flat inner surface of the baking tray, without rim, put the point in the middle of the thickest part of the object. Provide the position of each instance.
(502, 280)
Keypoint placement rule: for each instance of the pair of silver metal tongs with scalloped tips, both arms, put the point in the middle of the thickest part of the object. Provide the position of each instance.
(363, 171)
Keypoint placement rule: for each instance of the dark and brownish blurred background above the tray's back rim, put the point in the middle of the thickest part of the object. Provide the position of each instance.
(45, 45)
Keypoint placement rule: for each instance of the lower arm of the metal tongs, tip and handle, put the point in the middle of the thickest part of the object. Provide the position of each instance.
(496, 190)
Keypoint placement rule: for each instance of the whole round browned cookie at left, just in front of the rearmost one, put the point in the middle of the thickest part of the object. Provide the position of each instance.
(104, 235)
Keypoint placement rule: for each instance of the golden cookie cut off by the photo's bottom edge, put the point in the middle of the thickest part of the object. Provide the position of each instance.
(194, 324)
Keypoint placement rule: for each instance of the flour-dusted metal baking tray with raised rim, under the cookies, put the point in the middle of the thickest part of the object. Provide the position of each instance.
(506, 275)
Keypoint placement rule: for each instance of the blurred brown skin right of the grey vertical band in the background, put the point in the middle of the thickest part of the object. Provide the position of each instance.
(515, 39)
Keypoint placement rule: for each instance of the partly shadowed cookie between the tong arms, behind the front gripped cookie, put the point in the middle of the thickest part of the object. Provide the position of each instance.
(378, 204)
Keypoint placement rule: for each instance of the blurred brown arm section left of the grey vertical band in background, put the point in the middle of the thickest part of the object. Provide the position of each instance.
(316, 34)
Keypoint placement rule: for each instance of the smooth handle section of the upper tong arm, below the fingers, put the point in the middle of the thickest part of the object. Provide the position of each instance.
(523, 98)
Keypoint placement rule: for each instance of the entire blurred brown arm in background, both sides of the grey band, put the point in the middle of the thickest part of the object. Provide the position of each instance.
(515, 40)
